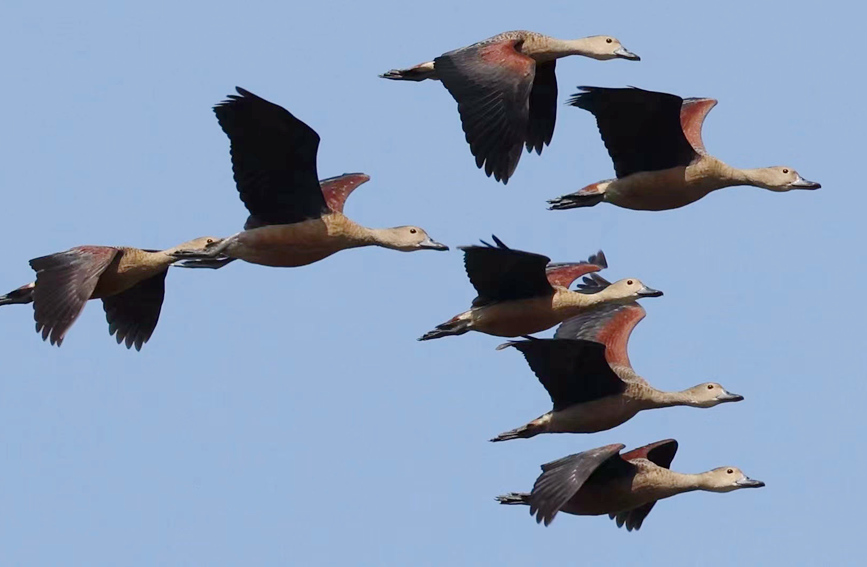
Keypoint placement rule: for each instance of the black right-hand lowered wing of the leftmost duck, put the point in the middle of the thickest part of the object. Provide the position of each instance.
(132, 315)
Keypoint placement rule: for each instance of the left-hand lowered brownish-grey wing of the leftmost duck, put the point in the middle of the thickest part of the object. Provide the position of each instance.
(64, 283)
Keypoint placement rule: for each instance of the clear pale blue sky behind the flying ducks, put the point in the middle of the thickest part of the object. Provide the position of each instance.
(289, 417)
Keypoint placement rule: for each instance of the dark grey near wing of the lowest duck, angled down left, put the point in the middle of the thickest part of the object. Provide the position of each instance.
(561, 479)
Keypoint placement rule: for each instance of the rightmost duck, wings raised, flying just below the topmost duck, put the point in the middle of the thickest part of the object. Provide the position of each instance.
(654, 140)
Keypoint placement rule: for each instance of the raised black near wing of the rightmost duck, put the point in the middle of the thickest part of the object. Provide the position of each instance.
(641, 129)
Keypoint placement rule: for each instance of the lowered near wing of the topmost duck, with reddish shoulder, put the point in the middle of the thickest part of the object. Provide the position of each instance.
(491, 83)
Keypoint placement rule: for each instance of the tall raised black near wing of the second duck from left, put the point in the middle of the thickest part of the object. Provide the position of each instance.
(274, 160)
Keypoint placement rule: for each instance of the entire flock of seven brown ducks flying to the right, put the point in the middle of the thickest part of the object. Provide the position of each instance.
(506, 91)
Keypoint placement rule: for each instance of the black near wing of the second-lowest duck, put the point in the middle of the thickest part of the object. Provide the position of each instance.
(572, 371)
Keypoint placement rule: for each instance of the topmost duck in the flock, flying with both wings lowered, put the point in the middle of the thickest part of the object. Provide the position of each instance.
(506, 90)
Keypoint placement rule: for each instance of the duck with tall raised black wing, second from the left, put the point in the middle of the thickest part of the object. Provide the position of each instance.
(294, 218)
